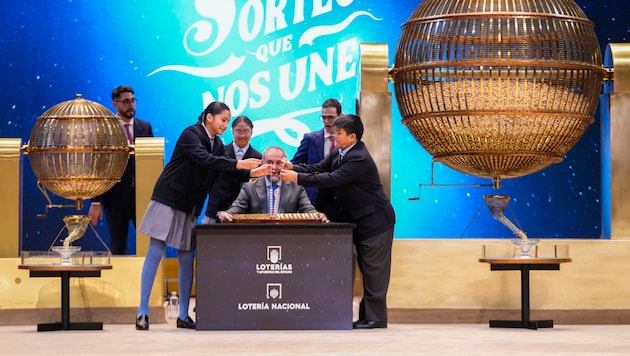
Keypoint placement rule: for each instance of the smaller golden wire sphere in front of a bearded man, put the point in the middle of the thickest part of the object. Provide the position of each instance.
(78, 149)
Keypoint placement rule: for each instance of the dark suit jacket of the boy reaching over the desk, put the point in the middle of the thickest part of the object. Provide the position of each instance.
(359, 192)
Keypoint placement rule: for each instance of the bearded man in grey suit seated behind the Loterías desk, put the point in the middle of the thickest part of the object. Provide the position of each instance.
(269, 195)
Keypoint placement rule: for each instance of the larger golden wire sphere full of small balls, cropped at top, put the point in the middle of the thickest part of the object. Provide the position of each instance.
(497, 88)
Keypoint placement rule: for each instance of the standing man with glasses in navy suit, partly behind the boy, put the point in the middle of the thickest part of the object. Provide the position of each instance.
(314, 147)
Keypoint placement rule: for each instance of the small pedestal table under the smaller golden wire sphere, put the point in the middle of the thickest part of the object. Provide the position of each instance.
(65, 272)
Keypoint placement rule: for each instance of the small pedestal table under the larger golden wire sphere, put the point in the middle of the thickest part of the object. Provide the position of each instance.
(524, 265)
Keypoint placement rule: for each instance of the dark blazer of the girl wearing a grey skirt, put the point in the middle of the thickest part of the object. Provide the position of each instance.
(184, 183)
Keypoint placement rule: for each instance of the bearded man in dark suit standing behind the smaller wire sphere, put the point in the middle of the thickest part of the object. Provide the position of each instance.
(119, 203)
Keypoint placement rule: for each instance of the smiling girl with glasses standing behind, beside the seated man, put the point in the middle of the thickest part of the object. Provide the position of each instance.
(227, 185)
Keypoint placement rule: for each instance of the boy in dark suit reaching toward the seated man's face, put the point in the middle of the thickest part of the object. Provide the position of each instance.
(363, 202)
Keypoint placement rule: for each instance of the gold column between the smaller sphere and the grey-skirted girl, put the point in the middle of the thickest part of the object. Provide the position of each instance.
(149, 153)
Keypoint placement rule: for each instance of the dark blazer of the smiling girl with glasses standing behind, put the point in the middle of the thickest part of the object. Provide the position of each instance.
(227, 186)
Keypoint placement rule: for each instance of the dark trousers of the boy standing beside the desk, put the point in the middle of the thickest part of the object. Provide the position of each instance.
(374, 258)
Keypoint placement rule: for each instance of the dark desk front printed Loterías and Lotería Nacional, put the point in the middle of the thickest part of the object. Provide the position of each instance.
(274, 276)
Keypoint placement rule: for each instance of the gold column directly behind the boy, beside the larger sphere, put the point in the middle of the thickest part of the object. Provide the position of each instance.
(375, 107)
